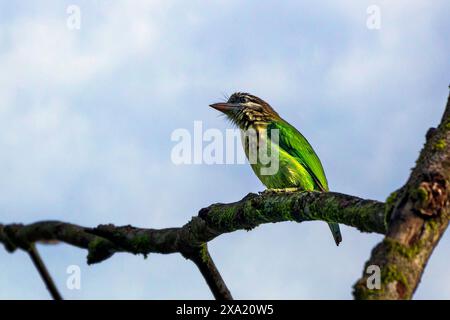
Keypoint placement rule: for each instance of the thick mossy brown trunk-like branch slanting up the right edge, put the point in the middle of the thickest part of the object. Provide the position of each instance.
(419, 215)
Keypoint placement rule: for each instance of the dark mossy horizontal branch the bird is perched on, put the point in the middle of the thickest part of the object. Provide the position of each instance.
(190, 240)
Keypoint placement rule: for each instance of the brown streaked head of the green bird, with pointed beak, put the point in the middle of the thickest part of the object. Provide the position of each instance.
(244, 110)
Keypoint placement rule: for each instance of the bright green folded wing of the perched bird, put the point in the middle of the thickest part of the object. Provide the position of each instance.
(294, 143)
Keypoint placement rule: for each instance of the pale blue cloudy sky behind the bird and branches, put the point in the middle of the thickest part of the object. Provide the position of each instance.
(86, 118)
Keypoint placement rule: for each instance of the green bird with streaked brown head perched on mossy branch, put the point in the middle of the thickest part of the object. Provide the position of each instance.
(298, 165)
